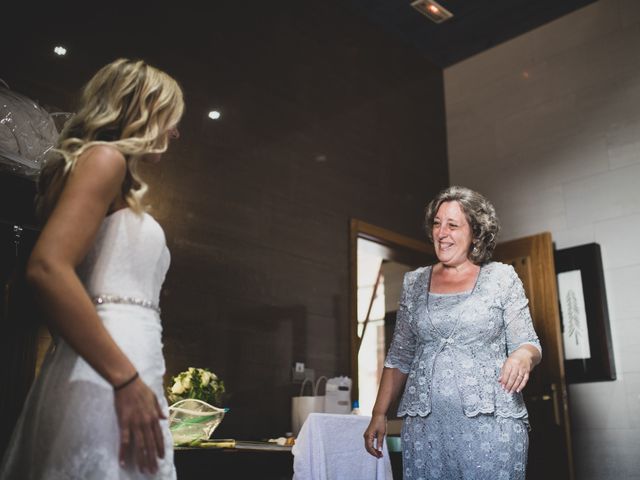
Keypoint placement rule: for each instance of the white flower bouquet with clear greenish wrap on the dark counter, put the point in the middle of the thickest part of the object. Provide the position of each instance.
(192, 415)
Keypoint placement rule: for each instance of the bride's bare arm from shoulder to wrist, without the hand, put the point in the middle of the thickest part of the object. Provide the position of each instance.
(65, 240)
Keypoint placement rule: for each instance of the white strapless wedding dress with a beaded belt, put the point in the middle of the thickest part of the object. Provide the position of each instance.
(68, 428)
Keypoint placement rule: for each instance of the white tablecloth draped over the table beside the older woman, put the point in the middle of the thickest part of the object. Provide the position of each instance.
(331, 447)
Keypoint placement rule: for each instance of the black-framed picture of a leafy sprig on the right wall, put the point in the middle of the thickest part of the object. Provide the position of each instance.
(585, 318)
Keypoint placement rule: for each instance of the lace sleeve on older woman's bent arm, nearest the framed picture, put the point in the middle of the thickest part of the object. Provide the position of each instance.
(517, 318)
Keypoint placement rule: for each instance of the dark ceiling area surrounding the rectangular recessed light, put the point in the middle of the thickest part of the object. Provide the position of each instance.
(476, 26)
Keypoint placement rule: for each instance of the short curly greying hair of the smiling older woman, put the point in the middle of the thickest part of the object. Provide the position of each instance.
(480, 214)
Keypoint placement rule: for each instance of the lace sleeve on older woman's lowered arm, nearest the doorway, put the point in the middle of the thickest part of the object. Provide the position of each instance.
(403, 343)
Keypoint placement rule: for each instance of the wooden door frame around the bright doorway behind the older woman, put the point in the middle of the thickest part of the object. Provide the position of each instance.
(360, 229)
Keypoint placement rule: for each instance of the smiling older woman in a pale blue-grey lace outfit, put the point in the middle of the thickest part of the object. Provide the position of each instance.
(463, 349)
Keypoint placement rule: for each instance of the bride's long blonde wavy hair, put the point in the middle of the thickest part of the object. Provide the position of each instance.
(128, 105)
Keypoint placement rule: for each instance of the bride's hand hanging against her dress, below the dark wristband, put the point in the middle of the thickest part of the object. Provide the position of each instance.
(139, 417)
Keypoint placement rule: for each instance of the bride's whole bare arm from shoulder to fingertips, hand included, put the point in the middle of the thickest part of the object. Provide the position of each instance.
(65, 240)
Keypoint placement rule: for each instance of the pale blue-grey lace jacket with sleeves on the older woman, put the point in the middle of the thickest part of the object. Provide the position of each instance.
(487, 325)
